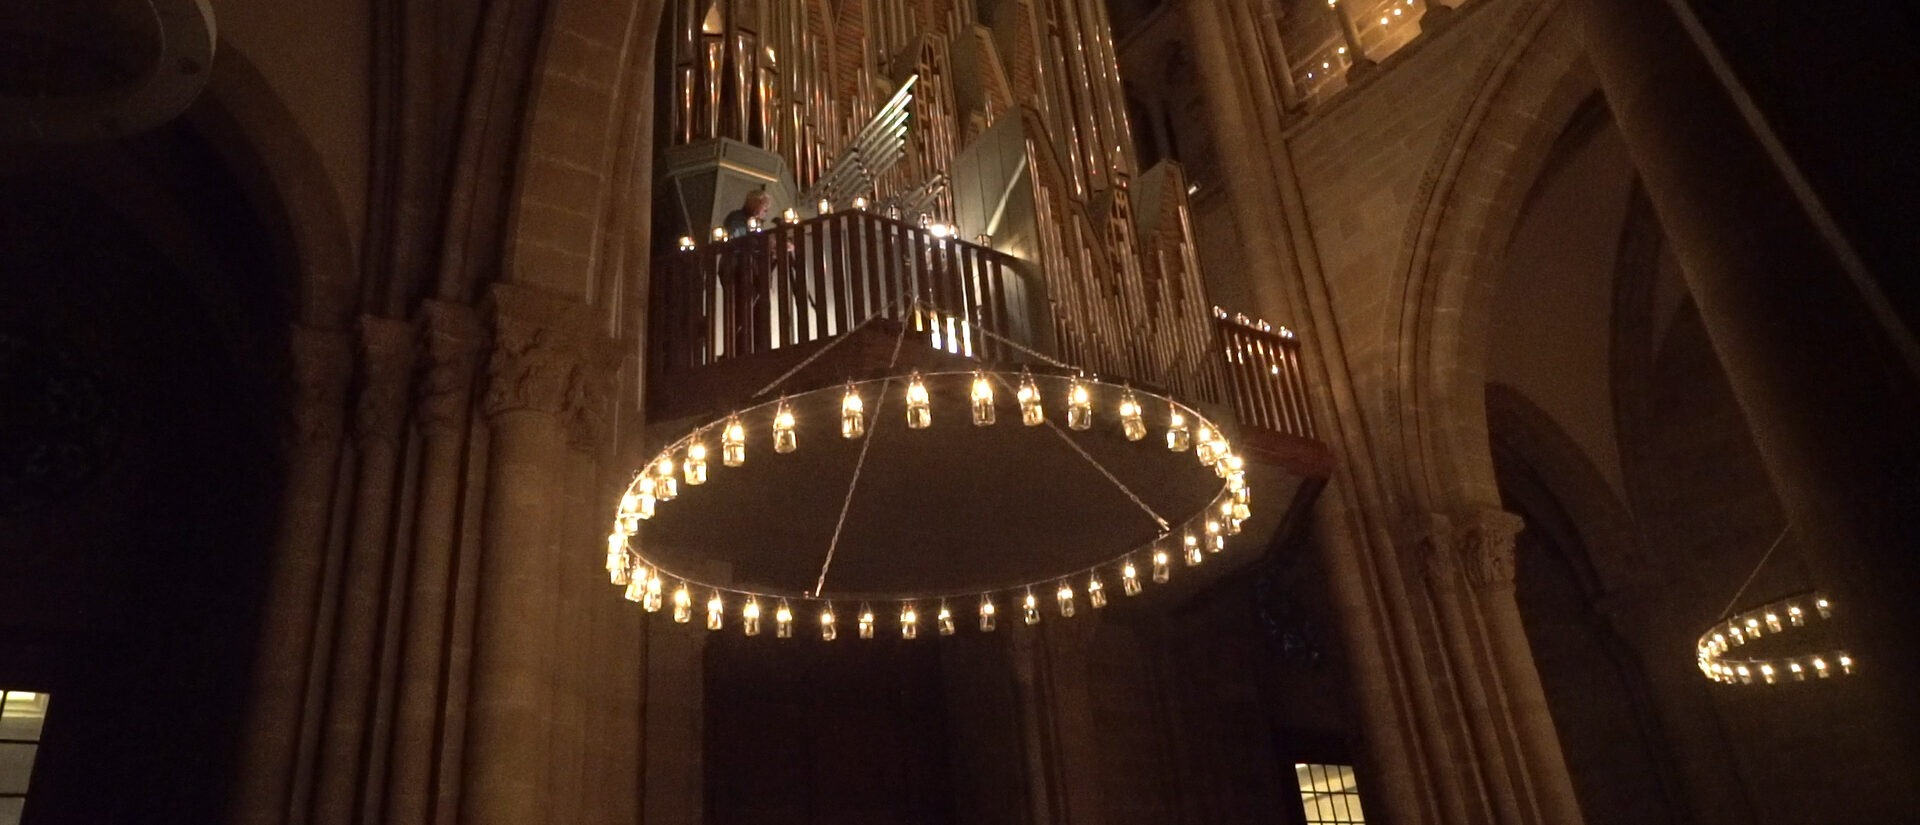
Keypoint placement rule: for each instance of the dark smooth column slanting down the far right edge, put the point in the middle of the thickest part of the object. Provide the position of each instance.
(1819, 362)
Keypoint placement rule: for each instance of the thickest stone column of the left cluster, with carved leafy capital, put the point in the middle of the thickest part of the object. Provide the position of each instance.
(531, 375)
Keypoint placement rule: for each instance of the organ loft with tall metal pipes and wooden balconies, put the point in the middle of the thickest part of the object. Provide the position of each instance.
(965, 156)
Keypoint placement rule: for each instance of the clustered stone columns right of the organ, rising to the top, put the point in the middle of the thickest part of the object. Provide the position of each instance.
(1445, 684)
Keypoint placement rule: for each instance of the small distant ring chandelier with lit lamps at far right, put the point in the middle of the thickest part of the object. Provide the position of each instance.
(1721, 661)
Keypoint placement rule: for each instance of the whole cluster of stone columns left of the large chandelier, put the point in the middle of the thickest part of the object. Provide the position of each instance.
(414, 644)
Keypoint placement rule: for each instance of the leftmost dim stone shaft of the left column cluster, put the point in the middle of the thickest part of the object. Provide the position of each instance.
(324, 364)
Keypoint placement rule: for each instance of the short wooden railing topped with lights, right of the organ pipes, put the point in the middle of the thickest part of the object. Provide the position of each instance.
(1264, 381)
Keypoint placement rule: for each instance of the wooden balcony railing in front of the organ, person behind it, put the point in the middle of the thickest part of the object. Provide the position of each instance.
(817, 279)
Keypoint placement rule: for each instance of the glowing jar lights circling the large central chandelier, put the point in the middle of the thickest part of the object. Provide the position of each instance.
(690, 461)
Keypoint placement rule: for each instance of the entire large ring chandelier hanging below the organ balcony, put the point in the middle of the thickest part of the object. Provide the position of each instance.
(944, 438)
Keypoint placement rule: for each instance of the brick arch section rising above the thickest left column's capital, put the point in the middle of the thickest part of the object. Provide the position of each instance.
(579, 216)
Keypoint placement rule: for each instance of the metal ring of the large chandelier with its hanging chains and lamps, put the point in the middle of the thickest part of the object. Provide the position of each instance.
(690, 461)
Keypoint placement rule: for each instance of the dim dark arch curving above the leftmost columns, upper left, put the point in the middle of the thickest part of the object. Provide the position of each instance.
(274, 160)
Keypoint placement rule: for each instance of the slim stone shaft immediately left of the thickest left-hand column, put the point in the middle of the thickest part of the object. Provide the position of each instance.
(450, 341)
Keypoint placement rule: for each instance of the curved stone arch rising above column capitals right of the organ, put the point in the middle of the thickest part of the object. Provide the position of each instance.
(1460, 231)
